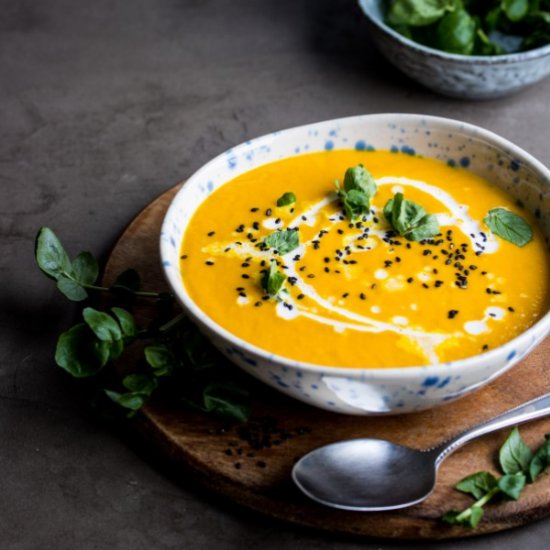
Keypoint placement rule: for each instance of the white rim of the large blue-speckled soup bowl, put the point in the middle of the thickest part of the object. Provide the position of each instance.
(464, 365)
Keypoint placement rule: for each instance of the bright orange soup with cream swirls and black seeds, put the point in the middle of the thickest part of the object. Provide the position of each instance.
(351, 291)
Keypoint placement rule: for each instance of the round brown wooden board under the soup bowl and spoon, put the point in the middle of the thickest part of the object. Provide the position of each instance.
(250, 464)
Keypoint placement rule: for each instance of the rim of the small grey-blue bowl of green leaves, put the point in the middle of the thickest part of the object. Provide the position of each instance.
(503, 59)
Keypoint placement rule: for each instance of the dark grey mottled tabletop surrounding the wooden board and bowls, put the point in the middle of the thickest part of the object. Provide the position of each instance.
(104, 105)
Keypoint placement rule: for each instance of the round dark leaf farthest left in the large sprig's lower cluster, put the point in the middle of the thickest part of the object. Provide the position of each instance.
(80, 353)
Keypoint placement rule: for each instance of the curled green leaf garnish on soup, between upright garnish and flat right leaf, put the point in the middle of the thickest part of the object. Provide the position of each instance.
(409, 219)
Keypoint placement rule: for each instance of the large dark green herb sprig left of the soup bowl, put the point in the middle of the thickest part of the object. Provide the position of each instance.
(174, 349)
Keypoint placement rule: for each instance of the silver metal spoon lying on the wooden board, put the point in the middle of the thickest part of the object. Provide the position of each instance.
(373, 474)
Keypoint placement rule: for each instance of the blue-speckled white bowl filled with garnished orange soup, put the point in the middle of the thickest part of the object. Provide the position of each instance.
(369, 265)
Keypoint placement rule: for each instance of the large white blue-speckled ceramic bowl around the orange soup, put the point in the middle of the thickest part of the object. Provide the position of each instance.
(367, 391)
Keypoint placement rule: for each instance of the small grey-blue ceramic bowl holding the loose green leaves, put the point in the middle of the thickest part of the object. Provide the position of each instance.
(462, 76)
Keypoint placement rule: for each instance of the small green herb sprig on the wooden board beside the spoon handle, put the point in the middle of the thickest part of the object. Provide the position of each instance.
(519, 466)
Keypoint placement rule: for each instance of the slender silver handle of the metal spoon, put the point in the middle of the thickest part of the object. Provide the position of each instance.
(536, 408)
